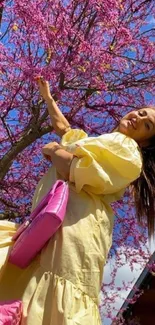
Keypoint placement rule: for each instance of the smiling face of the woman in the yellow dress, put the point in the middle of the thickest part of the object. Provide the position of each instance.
(139, 125)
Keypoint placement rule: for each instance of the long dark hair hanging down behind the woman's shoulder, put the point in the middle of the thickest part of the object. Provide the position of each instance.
(144, 188)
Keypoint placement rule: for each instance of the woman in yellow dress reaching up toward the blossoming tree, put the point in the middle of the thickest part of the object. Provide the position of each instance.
(61, 286)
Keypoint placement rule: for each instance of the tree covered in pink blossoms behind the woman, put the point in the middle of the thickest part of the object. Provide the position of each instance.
(98, 57)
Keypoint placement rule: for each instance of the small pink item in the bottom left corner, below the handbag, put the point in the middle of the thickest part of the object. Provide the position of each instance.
(10, 312)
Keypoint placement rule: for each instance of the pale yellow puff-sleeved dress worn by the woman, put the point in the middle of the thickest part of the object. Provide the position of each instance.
(61, 286)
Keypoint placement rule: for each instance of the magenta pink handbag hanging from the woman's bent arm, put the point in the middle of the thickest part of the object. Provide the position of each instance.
(44, 221)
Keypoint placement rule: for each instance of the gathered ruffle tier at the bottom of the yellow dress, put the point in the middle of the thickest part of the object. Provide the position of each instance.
(81, 309)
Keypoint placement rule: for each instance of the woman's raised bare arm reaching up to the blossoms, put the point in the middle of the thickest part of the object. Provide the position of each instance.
(59, 122)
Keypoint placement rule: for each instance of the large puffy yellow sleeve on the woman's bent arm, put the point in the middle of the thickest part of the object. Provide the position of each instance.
(106, 164)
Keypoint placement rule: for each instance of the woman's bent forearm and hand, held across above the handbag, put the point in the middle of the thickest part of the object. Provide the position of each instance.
(60, 158)
